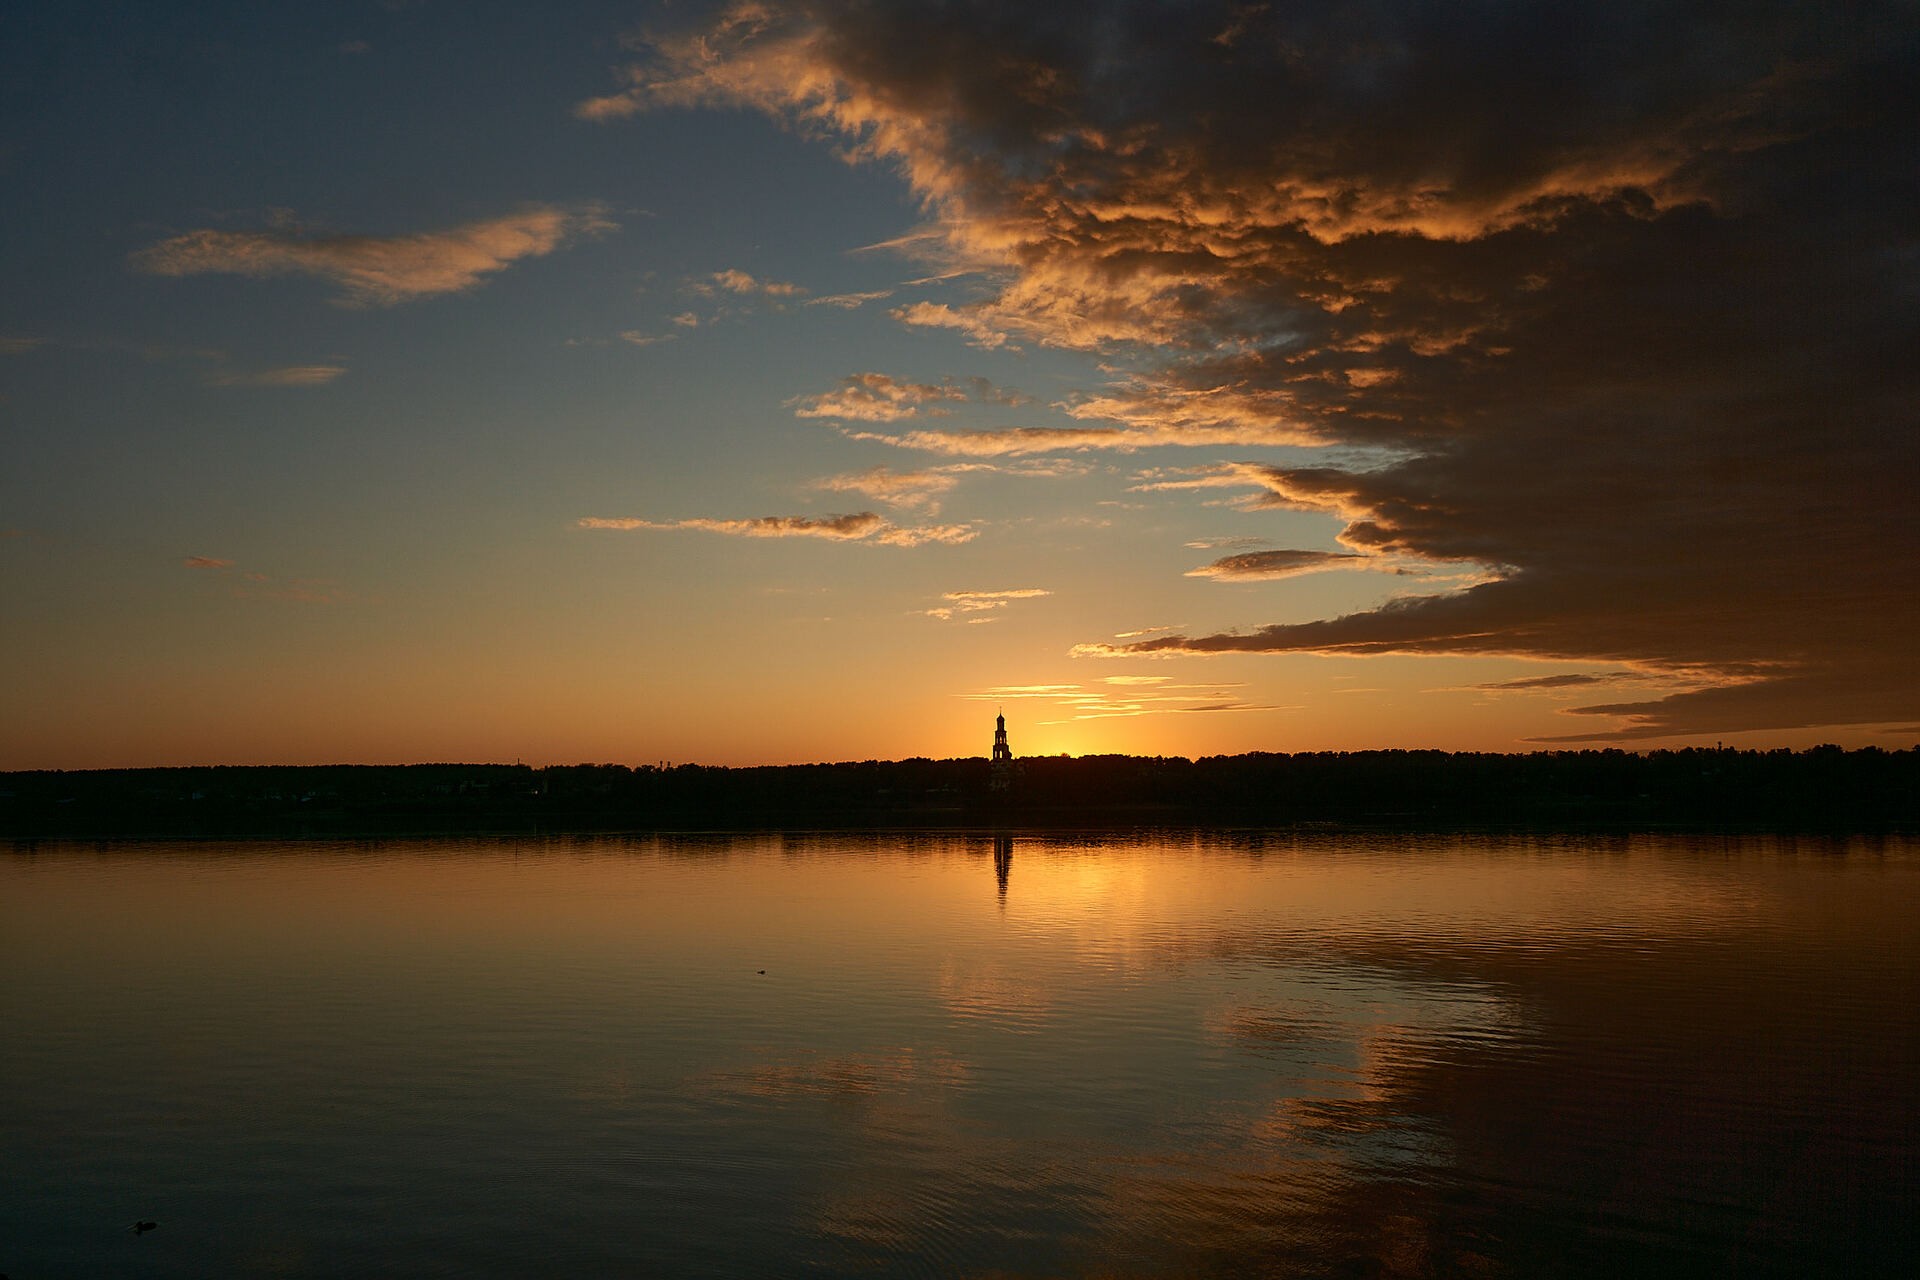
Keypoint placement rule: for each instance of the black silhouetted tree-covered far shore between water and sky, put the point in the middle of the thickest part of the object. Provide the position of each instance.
(1817, 790)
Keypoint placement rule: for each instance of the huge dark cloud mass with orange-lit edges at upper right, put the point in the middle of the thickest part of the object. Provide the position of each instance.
(1616, 302)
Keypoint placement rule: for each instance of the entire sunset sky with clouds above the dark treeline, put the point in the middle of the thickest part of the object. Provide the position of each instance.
(782, 383)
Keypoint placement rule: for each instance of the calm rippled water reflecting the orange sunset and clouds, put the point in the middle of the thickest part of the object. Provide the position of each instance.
(1138, 1056)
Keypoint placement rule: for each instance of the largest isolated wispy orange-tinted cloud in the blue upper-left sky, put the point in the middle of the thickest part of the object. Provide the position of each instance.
(379, 270)
